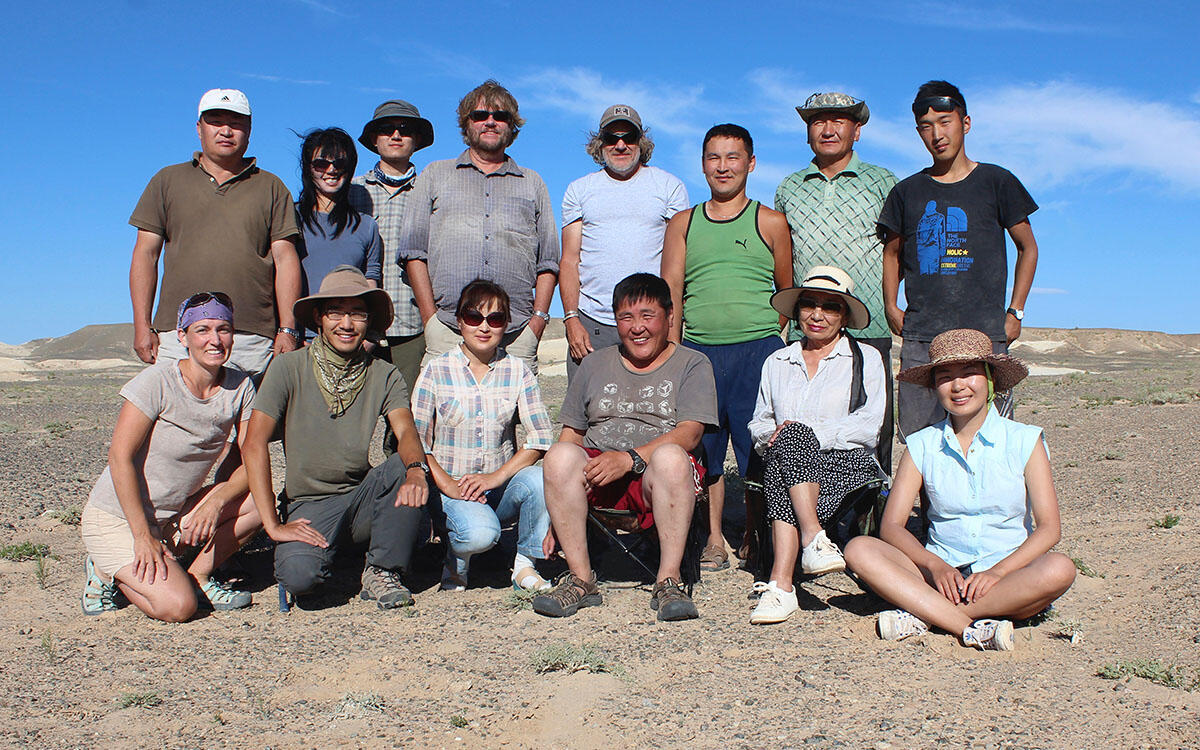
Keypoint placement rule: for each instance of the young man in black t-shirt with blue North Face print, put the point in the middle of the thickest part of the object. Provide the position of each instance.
(944, 233)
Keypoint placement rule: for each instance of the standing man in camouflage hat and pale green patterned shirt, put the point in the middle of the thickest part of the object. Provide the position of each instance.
(832, 207)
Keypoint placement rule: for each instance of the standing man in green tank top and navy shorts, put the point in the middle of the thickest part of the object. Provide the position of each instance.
(724, 259)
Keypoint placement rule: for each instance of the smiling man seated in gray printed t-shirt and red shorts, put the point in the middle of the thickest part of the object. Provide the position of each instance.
(632, 418)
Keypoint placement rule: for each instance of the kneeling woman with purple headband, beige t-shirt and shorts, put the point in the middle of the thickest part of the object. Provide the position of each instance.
(151, 503)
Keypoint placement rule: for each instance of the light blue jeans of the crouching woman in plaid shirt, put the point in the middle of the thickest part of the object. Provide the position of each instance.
(476, 527)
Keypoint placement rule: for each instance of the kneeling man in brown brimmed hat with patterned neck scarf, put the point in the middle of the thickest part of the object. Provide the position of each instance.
(333, 393)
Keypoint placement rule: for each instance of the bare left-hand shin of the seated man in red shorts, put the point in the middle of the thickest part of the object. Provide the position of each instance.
(568, 505)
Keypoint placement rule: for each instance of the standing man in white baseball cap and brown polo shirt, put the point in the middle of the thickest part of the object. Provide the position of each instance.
(225, 225)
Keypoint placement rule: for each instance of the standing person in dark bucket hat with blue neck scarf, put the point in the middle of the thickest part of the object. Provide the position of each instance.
(395, 133)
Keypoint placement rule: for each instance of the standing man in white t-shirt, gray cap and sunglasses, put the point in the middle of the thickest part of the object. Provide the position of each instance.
(614, 221)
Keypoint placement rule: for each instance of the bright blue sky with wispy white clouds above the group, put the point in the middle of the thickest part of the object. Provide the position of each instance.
(1095, 106)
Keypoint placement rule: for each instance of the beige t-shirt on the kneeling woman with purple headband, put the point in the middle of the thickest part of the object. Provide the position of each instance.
(187, 440)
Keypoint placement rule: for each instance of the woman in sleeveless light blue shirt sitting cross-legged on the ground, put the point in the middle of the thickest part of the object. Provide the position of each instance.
(993, 509)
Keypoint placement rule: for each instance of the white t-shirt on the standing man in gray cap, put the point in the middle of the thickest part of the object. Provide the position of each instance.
(625, 223)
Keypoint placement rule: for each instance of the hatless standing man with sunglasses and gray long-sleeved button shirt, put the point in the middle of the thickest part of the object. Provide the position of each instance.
(482, 217)
